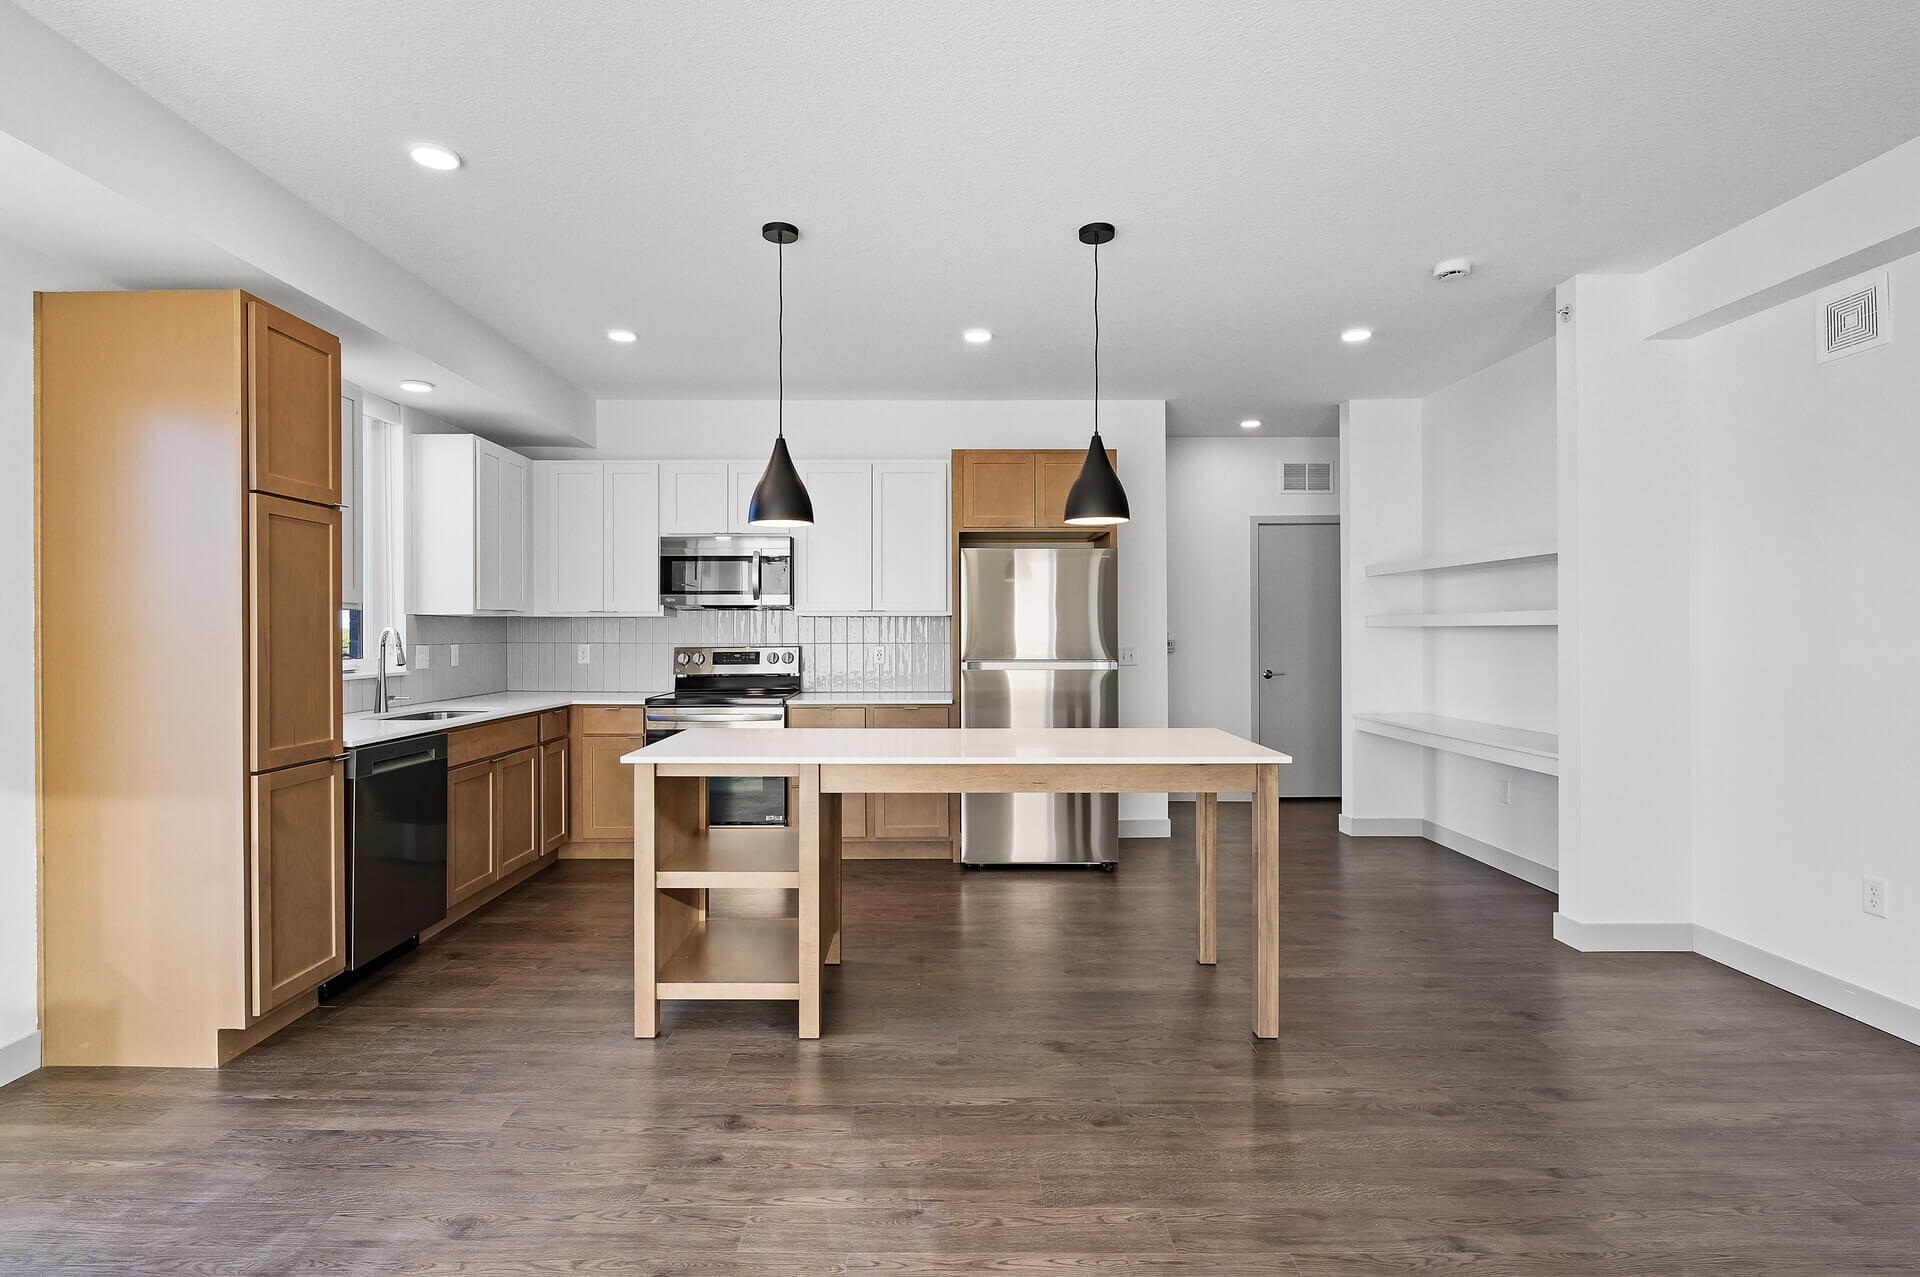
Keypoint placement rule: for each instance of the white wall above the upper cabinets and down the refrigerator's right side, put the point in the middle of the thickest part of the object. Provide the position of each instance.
(861, 429)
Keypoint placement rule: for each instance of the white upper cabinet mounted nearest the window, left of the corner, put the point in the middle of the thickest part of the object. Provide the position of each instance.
(468, 518)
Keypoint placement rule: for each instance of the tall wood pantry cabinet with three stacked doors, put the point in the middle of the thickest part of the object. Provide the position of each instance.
(189, 631)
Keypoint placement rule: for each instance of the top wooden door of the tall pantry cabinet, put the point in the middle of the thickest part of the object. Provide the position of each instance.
(293, 373)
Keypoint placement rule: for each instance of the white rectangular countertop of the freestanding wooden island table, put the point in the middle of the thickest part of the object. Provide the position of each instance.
(961, 746)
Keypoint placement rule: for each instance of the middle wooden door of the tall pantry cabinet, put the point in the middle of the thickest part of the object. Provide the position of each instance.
(293, 633)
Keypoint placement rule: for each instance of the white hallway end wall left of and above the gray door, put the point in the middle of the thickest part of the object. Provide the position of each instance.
(1216, 487)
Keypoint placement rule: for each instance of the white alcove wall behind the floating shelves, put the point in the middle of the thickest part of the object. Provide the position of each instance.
(1489, 481)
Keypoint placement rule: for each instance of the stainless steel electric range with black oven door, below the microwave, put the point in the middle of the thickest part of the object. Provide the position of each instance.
(732, 688)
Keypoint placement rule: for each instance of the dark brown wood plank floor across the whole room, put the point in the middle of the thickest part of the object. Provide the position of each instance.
(1020, 1072)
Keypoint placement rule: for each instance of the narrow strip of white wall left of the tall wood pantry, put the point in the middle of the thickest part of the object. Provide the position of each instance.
(22, 274)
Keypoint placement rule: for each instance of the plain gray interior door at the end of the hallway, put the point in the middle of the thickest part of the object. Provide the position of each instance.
(1297, 667)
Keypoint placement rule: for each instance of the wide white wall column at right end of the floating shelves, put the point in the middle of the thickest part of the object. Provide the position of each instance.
(1625, 859)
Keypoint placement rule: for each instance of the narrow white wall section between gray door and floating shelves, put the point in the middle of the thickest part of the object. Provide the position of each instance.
(1383, 783)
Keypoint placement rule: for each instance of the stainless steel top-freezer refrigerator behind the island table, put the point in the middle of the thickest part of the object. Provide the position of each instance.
(1038, 650)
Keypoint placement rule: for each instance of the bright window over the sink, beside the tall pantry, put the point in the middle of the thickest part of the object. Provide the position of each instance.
(373, 535)
